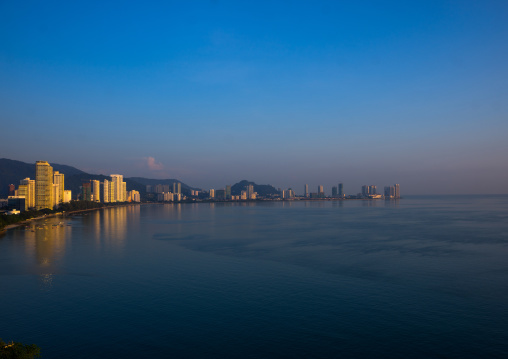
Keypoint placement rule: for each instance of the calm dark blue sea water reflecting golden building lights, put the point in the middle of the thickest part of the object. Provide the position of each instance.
(420, 277)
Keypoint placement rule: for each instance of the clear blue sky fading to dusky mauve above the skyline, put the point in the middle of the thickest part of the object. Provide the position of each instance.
(276, 92)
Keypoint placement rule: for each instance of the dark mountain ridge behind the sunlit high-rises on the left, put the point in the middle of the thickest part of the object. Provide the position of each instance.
(12, 171)
